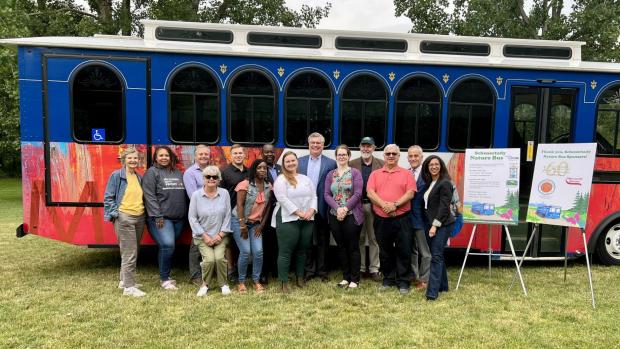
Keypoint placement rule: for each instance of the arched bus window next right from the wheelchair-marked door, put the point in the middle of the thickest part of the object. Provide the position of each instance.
(194, 107)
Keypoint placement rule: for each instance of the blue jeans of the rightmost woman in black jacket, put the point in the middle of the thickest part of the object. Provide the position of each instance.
(438, 278)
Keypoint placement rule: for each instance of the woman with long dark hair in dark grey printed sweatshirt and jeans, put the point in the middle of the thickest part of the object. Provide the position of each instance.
(165, 201)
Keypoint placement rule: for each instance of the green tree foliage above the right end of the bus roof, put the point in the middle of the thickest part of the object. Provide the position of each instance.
(597, 22)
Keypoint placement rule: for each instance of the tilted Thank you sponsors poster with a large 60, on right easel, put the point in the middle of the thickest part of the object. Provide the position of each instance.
(561, 184)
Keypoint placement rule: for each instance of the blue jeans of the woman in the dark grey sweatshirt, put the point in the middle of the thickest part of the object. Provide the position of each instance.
(165, 239)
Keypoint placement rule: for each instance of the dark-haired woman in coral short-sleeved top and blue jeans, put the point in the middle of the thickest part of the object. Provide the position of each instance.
(252, 197)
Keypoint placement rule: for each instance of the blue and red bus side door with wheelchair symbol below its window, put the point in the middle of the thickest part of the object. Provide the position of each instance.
(93, 105)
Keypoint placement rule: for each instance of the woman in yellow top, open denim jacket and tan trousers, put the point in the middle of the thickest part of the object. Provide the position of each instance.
(124, 207)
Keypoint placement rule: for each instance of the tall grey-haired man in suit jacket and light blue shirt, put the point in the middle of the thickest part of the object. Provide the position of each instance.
(316, 166)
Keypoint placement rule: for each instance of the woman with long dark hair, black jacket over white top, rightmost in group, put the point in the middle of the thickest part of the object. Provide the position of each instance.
(437, 198)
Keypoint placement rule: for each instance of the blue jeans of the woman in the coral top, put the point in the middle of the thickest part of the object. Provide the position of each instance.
(253, 245)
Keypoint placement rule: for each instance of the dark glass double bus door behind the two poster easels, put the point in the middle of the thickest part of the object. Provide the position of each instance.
(538, 115)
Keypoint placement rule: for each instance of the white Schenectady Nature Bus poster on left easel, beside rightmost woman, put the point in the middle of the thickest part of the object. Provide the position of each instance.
(491, 192)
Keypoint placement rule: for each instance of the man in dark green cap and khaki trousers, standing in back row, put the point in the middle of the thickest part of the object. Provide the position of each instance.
(366, 164)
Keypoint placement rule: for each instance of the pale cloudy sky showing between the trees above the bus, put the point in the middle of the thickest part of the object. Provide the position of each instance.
(372, 15)
